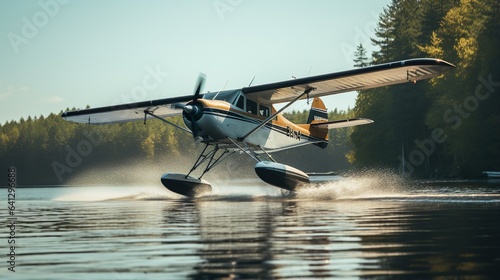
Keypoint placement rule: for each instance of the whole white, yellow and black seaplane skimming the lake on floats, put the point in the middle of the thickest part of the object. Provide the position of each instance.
(246, 120)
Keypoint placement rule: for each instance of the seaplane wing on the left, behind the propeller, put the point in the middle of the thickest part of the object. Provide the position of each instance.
(128, 112)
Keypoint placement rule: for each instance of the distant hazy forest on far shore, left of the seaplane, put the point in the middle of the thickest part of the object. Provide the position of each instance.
(50, 150)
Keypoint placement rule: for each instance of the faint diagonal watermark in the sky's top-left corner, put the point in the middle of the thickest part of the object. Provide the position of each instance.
(31, 26)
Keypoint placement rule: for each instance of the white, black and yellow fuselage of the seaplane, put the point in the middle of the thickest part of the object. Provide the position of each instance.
(228, 122)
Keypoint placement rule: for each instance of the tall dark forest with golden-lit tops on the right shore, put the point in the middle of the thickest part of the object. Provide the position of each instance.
(446, 127)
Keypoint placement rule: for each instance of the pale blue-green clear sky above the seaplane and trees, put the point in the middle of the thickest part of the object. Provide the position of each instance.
(58, 54)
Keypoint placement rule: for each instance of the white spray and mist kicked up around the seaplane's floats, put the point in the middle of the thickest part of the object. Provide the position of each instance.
(140, 180)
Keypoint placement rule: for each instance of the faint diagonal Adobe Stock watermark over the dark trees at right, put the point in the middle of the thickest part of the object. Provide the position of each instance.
(454, 117)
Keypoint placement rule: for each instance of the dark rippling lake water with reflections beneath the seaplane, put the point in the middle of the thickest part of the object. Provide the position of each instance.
(370, 226)
